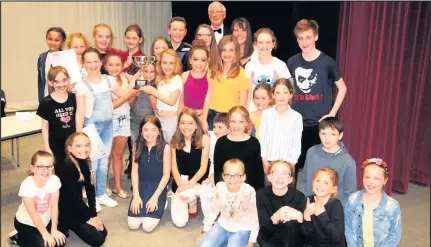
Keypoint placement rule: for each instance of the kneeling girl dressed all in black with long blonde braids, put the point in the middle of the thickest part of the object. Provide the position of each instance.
(76, 174)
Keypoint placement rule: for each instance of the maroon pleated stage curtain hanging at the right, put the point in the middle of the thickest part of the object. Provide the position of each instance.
(384, 55)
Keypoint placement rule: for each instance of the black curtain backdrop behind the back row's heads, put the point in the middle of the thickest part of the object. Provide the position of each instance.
(281, 17)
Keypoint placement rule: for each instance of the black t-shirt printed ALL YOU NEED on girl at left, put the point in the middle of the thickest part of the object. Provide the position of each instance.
(60, 116)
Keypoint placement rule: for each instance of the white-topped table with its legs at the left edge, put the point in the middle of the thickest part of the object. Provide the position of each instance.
(12, 127)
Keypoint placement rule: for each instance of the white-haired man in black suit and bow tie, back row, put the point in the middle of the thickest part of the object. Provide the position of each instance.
(217, 13)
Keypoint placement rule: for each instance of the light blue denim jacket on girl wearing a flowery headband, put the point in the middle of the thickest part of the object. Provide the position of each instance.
(386, 221)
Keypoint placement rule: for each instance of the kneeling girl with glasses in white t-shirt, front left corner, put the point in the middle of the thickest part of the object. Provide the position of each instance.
(37, 216)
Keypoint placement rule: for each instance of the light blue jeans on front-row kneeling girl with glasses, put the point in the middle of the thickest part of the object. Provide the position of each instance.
(217, 236)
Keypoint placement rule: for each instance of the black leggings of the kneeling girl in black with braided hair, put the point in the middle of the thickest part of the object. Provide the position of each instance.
(89, 234)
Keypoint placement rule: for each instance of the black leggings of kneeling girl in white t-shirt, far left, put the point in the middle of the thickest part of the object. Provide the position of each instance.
(29, 236)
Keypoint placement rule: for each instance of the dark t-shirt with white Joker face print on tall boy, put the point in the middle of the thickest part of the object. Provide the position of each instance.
(314, 86)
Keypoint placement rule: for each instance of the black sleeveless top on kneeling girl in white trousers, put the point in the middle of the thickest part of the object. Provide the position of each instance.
(188, 164)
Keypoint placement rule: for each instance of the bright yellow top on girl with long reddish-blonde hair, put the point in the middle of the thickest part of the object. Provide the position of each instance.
(225, 93)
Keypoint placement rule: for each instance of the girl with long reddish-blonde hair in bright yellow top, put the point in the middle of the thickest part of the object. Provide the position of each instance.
(229, 84)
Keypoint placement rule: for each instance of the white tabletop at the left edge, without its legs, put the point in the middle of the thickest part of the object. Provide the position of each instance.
(20, 125)
